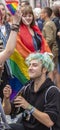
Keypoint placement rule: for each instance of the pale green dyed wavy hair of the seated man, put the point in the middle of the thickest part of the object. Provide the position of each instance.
(45, 58)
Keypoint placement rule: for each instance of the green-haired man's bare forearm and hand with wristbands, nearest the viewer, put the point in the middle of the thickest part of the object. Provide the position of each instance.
(40, 116)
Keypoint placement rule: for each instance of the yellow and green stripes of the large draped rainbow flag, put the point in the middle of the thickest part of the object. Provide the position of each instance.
(20, 71)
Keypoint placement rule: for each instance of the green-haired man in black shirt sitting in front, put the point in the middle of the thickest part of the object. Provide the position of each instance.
(36, 113)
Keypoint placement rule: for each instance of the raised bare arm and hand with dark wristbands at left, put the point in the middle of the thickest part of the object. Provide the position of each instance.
(11, 43)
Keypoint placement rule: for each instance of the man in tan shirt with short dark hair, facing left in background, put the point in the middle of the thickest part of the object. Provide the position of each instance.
(49, 32)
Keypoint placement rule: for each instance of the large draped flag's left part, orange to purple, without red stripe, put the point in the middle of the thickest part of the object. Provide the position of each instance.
(18, 67)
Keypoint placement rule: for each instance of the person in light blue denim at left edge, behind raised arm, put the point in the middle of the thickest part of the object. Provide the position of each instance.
(4, 26)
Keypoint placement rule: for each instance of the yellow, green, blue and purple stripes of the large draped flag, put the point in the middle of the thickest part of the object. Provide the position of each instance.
(19, 71)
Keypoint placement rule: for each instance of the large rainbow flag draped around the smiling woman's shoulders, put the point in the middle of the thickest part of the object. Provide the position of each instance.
(23, 48)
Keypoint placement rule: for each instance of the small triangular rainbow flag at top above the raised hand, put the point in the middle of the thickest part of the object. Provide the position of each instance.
(12, 5)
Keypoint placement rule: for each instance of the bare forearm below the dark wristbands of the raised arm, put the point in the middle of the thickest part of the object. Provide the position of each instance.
(11, 43)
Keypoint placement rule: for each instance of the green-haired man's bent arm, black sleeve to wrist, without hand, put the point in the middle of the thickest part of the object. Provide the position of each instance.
(50, 114)
